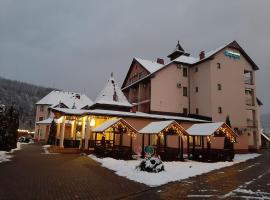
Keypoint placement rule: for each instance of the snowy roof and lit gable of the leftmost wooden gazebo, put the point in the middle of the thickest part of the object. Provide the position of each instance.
(115, 123)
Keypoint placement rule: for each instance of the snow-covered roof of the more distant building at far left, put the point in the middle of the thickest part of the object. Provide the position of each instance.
(70, 99)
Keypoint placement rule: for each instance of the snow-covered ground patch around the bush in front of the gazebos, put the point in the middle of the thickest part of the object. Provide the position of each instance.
(174, 171)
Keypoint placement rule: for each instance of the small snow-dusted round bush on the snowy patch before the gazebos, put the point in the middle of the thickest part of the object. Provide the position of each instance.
(151, 164)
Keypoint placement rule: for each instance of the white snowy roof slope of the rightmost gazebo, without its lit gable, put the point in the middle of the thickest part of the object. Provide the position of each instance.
(204, 129)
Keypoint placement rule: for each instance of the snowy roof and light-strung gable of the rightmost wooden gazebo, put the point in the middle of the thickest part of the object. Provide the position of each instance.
(212, 129)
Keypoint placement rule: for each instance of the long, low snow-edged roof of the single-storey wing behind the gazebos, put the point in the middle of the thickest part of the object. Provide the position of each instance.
(124, 114)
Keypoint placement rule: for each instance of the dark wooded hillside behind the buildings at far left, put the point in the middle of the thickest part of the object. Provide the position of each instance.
(23, 96)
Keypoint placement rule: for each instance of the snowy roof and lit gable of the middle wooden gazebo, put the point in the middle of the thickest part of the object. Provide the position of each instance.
(163, 127)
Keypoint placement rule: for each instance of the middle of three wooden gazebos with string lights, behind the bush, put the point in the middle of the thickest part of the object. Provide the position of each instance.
(162, 130)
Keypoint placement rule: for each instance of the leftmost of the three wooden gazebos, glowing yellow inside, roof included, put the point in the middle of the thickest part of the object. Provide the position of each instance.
(109, 138)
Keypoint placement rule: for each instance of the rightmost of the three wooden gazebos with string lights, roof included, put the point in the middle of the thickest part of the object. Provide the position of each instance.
(208, 133)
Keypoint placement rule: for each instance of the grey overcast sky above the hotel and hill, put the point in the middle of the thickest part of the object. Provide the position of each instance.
(75, 45)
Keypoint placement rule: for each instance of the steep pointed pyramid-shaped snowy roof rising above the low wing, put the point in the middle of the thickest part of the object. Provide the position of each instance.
(112, 95)
